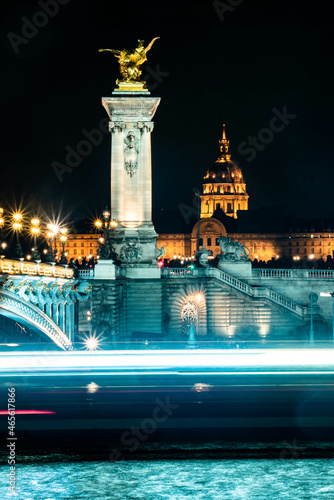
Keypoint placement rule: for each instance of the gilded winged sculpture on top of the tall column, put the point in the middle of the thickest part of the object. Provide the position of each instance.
(129, 65)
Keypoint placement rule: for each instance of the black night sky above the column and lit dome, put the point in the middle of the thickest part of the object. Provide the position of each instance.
(262, 56)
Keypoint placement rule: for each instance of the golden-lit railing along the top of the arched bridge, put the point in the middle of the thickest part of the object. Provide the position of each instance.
(8, 266)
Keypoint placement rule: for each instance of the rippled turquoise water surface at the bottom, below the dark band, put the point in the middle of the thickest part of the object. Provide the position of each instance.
(63, 477)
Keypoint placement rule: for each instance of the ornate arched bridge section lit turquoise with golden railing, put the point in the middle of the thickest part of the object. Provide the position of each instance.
(43, 297)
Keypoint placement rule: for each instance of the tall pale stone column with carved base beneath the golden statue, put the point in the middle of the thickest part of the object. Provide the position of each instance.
(134, 239)
